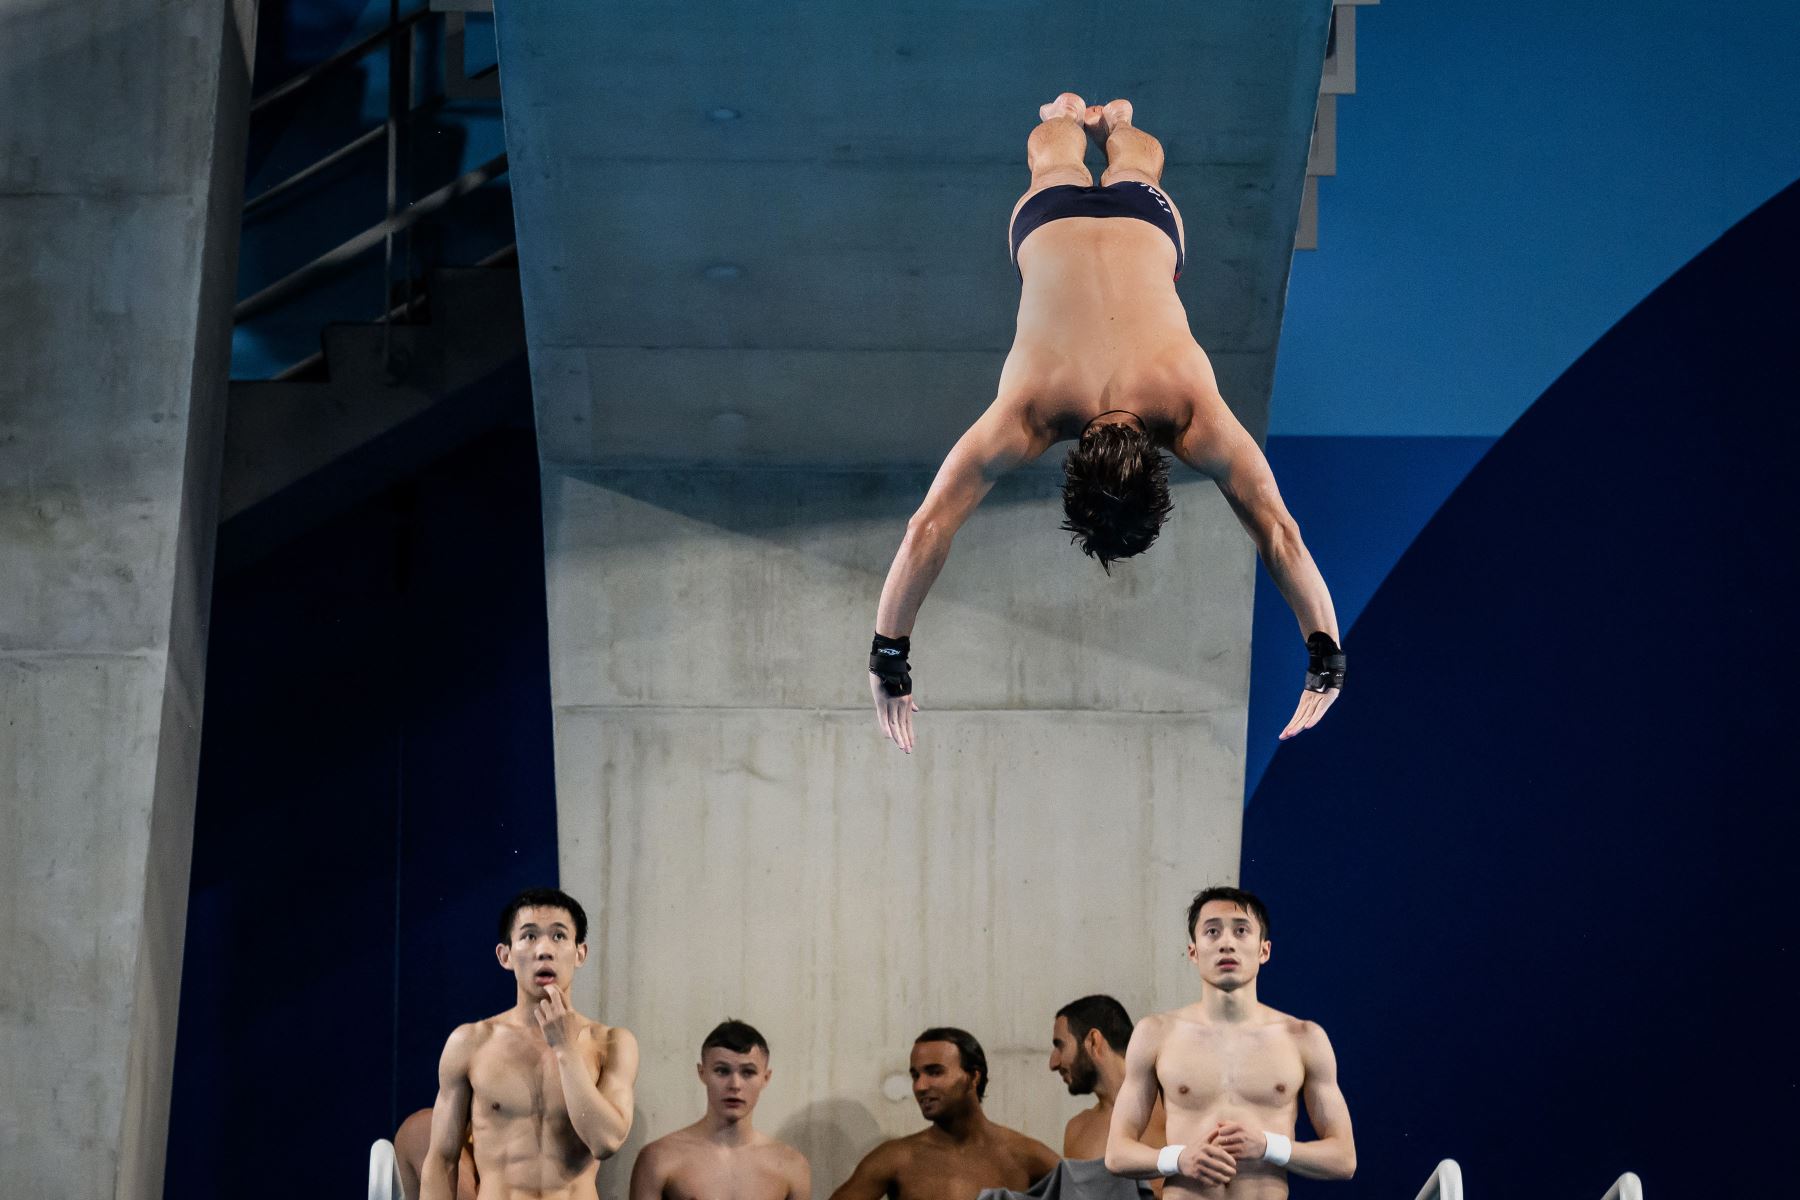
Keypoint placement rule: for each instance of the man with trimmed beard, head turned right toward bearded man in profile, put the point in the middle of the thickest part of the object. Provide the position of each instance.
(962, 1152)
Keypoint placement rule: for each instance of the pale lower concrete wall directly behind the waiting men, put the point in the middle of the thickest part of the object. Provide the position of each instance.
(751, 846)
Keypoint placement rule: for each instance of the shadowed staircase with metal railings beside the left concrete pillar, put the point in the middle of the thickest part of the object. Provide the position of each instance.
(424, 336)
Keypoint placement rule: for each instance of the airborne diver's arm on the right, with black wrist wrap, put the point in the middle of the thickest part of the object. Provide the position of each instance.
(1219, 447)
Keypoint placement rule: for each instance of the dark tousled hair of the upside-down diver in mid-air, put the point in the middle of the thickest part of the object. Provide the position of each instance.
(1115, 492)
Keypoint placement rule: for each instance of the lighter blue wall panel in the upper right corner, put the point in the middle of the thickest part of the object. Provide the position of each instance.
(1511, 183)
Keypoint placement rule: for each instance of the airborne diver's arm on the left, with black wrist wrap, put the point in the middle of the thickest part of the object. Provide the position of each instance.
(1000, 442)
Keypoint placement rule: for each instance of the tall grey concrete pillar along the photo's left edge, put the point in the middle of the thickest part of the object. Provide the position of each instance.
(121, 168)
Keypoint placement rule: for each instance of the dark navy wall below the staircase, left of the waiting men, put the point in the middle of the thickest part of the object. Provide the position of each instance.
(375, 784)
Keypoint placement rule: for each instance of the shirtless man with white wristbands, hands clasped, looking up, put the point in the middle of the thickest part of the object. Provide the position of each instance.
(1232, 1073)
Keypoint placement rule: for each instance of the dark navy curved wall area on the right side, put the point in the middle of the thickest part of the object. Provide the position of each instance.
(1534, 873)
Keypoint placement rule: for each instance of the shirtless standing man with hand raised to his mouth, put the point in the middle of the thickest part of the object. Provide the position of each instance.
(546, 1091)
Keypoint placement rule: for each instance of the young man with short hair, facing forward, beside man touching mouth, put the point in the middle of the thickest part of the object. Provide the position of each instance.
(723, 1156)
